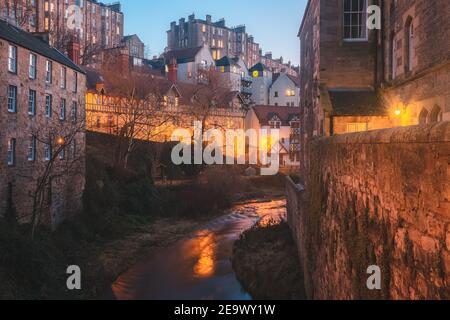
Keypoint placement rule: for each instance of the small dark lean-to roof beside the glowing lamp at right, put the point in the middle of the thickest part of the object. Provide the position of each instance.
(356, 103)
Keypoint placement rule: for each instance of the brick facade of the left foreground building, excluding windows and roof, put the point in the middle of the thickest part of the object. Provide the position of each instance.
(20, 180)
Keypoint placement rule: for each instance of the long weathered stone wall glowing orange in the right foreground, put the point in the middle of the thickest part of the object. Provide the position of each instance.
(376, 198)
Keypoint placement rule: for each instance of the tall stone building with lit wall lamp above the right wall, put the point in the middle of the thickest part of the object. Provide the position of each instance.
(402, 69)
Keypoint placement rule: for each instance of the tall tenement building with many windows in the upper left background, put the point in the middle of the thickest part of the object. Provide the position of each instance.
(97, 26)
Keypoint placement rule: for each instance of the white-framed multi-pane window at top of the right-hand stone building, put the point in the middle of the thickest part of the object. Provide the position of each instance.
(355, 19)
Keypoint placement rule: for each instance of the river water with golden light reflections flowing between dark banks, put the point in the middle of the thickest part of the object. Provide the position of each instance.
(197, 267)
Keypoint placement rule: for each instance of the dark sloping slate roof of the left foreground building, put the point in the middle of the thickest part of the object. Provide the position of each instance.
(28, 41)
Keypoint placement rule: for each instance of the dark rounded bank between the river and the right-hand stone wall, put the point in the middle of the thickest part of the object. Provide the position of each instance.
(266, 263)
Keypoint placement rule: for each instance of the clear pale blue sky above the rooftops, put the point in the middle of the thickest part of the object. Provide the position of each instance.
(273, 23)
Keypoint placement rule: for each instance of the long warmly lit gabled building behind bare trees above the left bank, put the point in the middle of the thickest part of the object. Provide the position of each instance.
(167, 106)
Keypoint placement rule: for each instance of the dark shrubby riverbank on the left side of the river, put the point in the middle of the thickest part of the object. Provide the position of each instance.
(125, 213)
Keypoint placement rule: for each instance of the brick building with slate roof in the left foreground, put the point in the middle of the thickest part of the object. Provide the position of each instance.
(42, 139)
